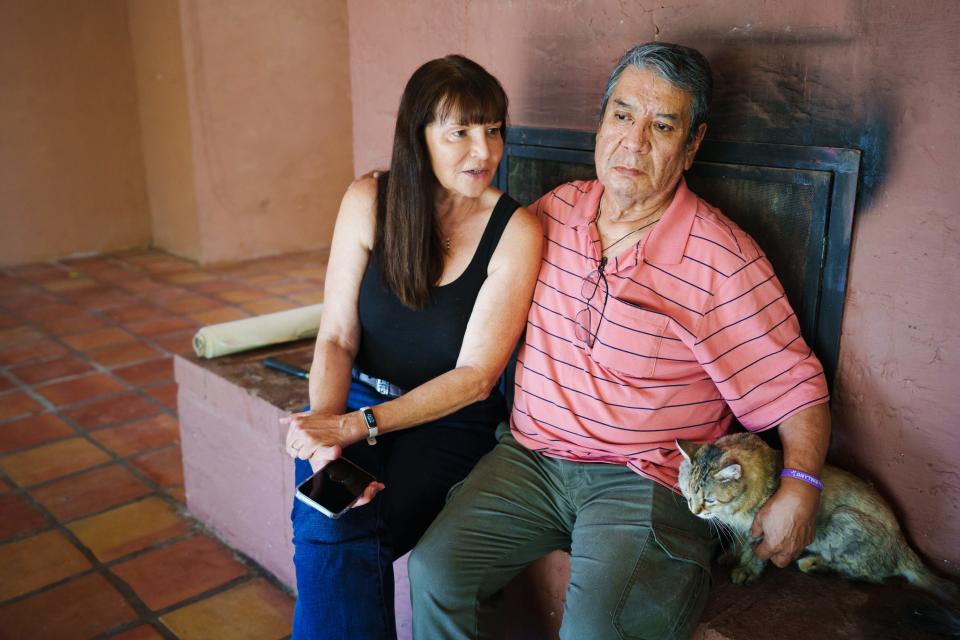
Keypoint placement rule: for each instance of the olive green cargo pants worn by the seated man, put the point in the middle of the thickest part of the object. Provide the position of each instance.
(640, 561)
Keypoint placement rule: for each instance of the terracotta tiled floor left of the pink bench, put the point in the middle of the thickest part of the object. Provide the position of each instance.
(94, 541)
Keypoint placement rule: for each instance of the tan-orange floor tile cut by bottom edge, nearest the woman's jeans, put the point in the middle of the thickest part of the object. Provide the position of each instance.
(254, 609)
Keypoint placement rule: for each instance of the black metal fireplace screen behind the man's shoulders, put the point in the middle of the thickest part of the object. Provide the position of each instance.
(796, 201)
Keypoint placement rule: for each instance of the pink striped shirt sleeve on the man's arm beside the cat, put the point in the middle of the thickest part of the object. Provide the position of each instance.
(749, 343)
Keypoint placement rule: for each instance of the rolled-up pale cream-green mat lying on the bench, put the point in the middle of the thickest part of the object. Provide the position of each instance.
(251, 333)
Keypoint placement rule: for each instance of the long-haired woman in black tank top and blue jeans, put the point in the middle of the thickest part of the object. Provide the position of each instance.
(430, 277)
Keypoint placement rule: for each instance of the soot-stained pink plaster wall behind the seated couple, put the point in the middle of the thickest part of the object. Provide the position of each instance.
(880, 77)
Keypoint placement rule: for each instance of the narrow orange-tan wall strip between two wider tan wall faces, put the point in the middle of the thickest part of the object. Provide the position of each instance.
(165, 125)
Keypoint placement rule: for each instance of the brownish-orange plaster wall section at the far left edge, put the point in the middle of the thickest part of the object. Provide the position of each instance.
(71, 167)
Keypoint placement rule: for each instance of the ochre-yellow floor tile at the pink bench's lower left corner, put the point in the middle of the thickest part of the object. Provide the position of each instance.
(129, 528)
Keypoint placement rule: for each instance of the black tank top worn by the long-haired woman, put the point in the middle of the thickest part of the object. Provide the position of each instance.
(411, 346)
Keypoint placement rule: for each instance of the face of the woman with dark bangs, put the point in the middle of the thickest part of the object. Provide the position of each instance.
(464, 157)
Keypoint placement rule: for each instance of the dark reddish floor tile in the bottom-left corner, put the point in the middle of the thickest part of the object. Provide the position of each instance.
(81, 608)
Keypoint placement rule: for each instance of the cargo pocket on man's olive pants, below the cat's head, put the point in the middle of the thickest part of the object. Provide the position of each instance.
(668, 587)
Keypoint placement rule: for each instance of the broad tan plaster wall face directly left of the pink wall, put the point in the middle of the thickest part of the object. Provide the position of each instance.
(268, 97)
